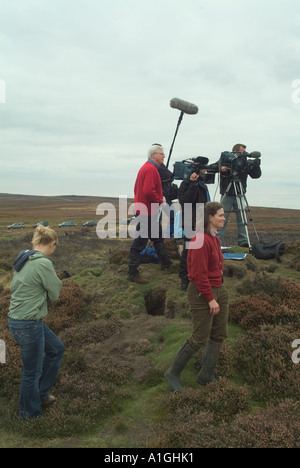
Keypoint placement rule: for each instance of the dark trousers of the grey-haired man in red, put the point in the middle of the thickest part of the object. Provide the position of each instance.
(154, 233)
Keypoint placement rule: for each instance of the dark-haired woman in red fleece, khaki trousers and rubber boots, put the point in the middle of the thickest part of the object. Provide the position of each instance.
(208, 300)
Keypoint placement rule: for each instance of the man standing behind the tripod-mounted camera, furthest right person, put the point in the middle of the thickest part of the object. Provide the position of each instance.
(229, 199)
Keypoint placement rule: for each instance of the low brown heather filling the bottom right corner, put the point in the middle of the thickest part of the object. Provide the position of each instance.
(273, 427)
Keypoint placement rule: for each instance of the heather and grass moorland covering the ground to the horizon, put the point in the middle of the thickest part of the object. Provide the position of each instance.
(120, 337)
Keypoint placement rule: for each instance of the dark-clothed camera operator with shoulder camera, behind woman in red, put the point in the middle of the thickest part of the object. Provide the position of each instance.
(192, 191)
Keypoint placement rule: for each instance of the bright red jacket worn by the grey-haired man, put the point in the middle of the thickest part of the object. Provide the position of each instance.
(147, 188)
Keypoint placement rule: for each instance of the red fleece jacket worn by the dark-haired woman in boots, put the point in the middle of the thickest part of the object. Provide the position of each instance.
(206, 265)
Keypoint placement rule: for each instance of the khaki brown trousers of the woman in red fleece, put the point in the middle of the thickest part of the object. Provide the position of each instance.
(205, 325)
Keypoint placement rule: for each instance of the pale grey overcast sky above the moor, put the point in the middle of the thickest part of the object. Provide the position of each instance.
(86, 85)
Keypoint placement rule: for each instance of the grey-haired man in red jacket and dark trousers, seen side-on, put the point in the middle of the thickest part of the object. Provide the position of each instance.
(148, 197)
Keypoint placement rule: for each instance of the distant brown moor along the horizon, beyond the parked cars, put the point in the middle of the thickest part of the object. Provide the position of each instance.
(31, 209)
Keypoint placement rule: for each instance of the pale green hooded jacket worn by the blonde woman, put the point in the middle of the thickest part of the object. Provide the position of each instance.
(34, 281)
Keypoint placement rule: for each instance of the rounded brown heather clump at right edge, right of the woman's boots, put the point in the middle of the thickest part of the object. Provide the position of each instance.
(264, 359)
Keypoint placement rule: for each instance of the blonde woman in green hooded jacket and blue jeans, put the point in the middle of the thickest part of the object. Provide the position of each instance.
(33, 283)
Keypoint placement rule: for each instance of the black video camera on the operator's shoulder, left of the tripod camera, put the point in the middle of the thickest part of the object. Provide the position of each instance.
(184, 169)
